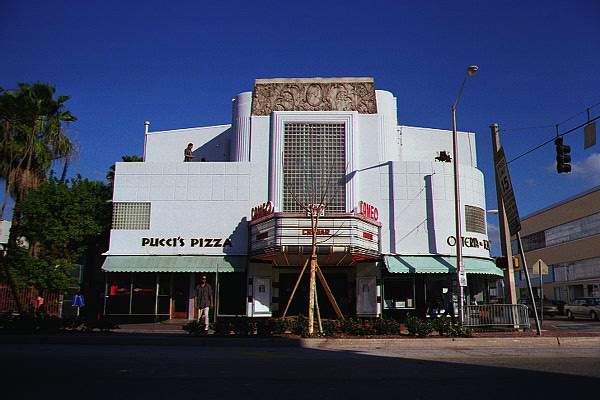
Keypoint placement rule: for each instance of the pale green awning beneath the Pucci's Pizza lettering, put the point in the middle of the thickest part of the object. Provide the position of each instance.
(201, 263)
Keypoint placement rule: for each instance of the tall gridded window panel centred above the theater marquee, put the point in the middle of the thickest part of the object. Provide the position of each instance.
(314, 159)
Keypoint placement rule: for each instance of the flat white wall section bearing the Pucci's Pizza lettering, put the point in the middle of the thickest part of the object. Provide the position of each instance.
(188, 200)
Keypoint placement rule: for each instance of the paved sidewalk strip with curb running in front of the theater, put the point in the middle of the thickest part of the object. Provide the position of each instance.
(170, 333)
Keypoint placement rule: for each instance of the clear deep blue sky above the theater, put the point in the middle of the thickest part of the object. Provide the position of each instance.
(178, 64)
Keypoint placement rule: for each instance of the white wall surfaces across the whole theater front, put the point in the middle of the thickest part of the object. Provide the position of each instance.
(390, 167)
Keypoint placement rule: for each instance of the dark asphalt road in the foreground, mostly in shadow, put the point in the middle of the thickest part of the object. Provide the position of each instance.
(41, 371)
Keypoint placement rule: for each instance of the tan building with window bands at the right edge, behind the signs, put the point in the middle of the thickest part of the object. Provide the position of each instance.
(566, 237)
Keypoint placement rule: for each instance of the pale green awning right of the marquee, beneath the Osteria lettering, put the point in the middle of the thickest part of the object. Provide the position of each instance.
(439, 265)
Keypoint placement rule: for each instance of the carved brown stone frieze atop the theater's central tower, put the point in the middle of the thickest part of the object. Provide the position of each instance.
(316, 94)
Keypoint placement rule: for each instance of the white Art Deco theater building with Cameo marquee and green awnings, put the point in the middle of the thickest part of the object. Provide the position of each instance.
(323, 148)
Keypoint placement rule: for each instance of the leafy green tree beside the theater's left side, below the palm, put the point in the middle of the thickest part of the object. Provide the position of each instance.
(60, 220)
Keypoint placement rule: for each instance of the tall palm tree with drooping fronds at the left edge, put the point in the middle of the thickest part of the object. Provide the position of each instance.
(32, 139)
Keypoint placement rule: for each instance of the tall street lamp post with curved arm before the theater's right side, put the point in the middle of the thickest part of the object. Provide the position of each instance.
(460, 266)
